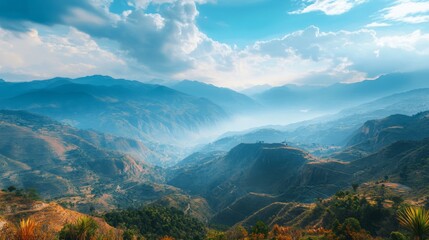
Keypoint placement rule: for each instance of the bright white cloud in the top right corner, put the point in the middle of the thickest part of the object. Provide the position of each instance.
(408, 11)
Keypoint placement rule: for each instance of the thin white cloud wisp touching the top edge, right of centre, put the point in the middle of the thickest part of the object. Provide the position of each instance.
(329, 7)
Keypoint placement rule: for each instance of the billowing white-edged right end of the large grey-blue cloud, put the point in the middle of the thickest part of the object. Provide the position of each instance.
(161, 41)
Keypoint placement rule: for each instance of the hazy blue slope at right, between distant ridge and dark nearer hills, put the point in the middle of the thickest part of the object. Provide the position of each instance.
(336, 129)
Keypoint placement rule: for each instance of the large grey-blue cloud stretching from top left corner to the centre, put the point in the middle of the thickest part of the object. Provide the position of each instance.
(161, 42)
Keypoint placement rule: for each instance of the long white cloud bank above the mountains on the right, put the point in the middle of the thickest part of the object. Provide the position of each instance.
(312, 56)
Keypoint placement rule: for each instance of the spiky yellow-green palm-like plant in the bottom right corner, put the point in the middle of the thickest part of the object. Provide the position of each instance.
(416, 220)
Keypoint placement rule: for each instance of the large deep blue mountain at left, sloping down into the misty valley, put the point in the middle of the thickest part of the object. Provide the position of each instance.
(156, 115)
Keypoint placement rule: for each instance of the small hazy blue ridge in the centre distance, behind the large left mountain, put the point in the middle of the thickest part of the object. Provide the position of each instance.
(231, 101)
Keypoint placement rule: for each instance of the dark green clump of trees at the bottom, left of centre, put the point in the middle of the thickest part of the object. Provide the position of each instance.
(154, 222)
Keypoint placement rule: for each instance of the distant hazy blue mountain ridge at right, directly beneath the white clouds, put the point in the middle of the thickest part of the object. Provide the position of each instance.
(342, 95)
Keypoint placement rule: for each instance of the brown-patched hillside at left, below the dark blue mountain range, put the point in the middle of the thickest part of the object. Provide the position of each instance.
(72, 165)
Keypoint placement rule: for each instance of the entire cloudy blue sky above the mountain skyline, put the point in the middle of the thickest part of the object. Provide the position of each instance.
(231, 43)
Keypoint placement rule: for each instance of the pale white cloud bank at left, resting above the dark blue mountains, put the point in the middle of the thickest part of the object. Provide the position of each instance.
(29, 55)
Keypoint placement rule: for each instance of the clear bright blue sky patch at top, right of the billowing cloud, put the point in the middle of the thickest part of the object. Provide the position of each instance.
(261, 20)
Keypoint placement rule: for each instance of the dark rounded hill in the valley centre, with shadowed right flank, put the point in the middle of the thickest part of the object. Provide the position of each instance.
(260, 168)
